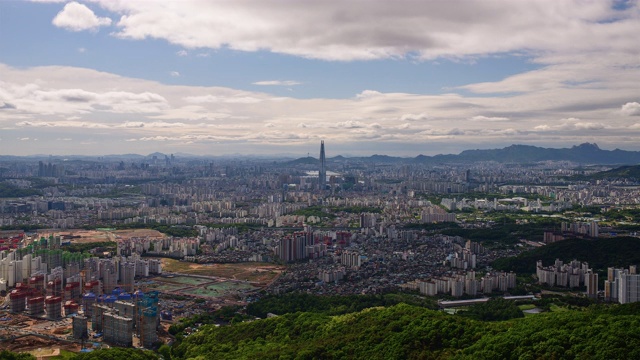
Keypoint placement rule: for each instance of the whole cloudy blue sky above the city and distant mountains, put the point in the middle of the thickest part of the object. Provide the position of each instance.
(265, 77)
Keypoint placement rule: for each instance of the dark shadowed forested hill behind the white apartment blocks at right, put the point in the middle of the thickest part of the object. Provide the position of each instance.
(599, 253)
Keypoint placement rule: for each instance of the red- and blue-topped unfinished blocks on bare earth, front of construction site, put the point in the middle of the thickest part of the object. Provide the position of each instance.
(118, 319)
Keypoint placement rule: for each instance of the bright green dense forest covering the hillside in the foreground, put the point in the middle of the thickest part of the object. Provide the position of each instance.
(494, 330)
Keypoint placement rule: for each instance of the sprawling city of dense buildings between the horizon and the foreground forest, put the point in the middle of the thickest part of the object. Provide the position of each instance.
(74, 251)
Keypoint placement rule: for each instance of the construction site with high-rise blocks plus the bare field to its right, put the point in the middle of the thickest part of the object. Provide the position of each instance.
(53, 299)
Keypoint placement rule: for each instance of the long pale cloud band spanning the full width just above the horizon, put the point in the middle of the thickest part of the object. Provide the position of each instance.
(129, 113)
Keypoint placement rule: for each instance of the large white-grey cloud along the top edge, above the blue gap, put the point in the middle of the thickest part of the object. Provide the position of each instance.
(343, 31)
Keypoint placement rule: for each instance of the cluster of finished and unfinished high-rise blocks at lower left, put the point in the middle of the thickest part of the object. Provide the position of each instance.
(44, 281)
